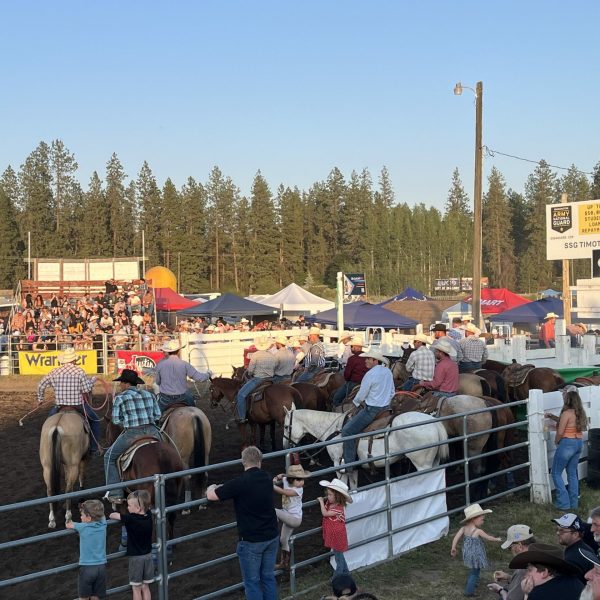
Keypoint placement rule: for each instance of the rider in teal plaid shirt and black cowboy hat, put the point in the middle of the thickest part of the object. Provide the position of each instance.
(137, 412)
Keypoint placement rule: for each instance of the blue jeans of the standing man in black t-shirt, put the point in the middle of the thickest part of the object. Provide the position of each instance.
(257, 562)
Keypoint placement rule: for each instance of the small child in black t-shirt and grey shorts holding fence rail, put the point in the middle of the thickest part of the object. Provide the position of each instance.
(138, 524)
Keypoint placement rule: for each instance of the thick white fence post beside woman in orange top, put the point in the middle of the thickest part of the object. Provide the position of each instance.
(538, 453)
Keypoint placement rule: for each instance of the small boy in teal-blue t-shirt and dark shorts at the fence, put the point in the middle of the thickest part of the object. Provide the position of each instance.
(92, 550)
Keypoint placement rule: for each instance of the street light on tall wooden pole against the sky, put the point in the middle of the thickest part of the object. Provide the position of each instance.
(477, 221)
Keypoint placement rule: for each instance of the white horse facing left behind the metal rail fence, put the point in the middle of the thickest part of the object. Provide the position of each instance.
(323, 426)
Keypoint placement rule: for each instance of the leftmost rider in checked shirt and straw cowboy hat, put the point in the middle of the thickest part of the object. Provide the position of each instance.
(70, 383)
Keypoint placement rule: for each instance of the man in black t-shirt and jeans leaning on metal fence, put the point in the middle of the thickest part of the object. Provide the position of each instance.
(252, 495)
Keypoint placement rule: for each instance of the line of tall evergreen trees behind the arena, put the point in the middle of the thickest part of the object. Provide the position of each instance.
(213, 237)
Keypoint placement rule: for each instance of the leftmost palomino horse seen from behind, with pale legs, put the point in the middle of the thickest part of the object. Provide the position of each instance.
(64, 446)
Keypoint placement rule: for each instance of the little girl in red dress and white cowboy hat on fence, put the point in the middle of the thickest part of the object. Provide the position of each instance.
(334, 521)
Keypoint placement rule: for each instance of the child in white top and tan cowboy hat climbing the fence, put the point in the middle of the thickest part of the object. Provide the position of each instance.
(290, 513)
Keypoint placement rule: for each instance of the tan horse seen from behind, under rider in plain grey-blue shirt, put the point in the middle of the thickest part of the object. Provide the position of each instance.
(189, 430)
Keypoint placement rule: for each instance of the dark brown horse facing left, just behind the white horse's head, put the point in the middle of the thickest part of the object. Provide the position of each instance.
(266, 411)
